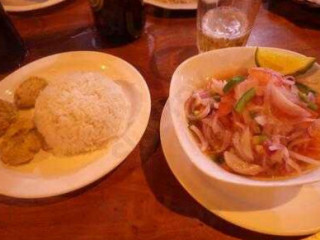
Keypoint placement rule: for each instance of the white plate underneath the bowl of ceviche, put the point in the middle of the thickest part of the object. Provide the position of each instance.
(287, 211)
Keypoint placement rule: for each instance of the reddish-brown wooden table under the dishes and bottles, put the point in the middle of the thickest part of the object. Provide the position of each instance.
(141, 199)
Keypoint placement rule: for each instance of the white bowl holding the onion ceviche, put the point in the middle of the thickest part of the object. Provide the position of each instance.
(192, 75)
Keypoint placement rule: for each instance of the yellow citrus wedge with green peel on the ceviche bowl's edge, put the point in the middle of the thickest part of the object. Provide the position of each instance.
(284, 62)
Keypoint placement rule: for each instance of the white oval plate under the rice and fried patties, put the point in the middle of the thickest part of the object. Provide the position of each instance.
(48, 175)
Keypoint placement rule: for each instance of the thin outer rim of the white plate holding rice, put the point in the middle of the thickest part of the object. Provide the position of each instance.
(145, 116)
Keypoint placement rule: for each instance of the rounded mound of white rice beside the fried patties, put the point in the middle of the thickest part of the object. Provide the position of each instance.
(81, 112)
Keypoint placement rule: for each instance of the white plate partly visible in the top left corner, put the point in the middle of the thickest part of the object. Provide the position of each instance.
(27, 5)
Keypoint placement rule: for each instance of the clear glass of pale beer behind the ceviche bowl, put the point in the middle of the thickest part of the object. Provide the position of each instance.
(225, 23)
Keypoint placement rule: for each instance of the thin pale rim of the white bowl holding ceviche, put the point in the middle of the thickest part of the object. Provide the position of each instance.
(242, 180)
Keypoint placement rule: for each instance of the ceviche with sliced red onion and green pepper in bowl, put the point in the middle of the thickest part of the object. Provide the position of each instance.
(264, 124)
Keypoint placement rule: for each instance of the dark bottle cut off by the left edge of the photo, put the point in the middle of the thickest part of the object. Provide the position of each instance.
(12, 48)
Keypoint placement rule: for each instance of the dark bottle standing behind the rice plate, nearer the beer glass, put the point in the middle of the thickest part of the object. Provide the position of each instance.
(119, 21)
